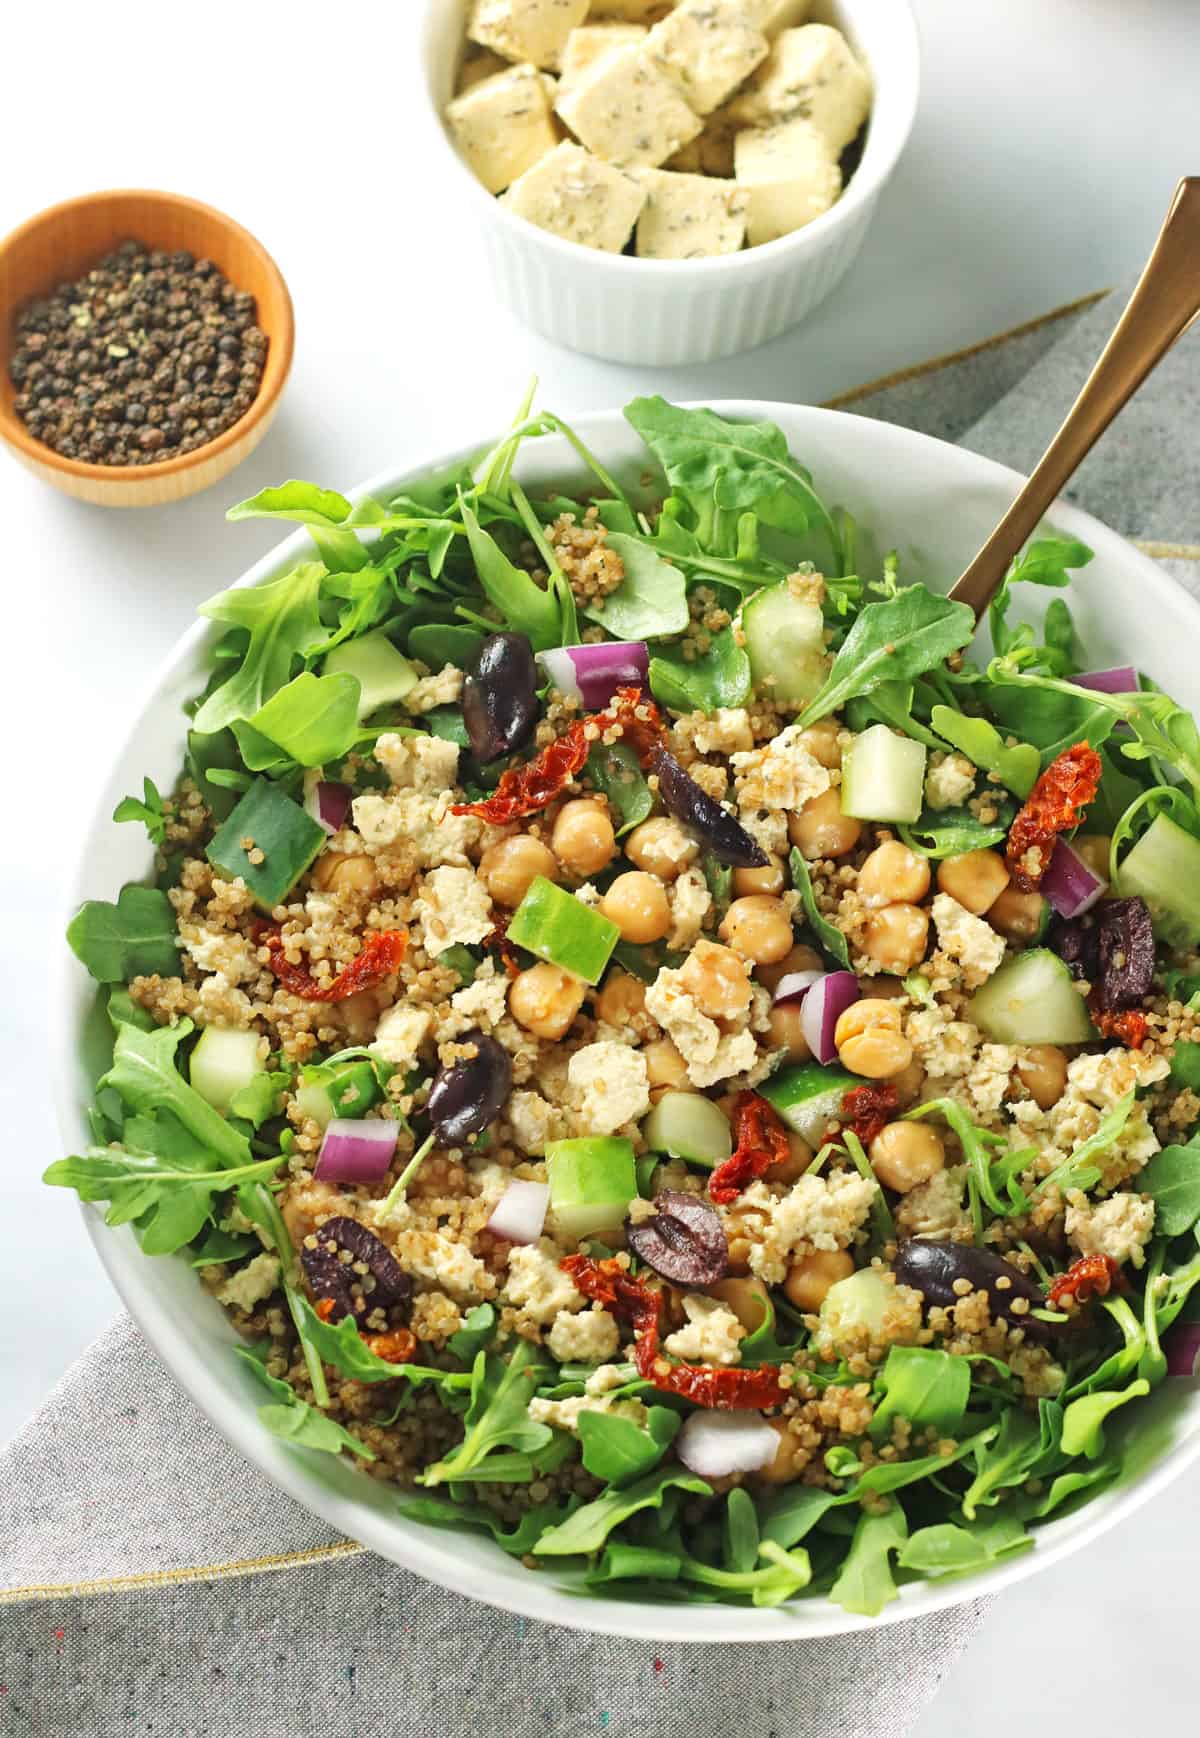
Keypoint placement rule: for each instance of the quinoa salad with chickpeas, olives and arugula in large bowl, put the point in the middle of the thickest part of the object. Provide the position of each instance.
(665, 1051)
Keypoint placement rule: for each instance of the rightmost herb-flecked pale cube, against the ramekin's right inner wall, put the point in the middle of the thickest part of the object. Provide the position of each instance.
(810, 72)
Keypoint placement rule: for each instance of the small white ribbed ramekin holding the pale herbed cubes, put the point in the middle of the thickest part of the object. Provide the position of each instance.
(667, 312)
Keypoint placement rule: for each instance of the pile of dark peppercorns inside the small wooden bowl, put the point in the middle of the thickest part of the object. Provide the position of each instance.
(147, 357)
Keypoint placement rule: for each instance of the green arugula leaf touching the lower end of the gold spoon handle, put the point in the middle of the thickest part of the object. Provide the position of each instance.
(895, 640)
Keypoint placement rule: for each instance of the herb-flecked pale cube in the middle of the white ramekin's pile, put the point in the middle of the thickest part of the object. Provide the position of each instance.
(629, 112)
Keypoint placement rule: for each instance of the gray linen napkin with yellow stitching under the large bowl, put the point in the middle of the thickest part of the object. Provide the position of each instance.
(156, 1582)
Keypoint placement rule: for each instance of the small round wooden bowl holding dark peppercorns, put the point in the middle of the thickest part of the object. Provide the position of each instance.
(60, 246)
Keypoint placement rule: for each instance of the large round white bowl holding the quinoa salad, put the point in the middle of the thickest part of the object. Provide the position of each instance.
(930, 501)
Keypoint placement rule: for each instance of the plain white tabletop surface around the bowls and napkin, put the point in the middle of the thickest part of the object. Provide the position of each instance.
(1050, 138)
